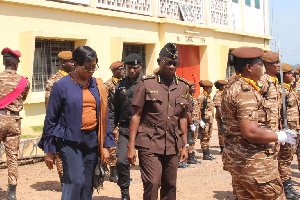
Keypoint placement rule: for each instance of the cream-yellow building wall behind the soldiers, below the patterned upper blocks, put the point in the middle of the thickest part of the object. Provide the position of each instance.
(106, 31)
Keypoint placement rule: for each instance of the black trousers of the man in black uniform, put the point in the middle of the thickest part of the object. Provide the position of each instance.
(123, 167)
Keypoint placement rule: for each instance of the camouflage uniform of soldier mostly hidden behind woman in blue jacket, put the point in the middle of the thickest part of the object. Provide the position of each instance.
(49, 85)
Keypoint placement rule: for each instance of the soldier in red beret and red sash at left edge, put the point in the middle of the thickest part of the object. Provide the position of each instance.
(13, 92)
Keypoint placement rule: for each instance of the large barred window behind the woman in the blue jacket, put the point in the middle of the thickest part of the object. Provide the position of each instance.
(46, 61)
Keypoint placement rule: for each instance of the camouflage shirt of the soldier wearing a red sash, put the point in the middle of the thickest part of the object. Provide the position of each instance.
(9, 79)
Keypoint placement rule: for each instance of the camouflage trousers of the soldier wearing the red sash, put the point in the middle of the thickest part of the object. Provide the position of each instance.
(10, 131)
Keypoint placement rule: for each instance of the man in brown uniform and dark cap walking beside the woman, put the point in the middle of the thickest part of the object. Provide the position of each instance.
(158, 127)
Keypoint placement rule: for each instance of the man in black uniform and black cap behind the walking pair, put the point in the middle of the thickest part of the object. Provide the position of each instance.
(122, 115)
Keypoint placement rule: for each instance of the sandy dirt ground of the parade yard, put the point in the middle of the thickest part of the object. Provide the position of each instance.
(199, 182)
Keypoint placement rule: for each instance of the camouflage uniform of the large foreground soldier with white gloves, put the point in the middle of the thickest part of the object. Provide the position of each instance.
(252, 166)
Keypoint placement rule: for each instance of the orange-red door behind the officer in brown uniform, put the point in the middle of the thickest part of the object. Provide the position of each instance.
(189, 68)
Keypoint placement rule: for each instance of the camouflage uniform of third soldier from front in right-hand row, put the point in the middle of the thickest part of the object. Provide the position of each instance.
(287, 151)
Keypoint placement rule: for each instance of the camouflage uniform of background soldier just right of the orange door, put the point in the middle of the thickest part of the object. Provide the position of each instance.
(207, 118)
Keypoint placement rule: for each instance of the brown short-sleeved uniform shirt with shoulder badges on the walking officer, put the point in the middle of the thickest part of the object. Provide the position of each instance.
(162, 108)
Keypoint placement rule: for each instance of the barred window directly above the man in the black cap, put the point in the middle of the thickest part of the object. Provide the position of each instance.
(139, 49)
